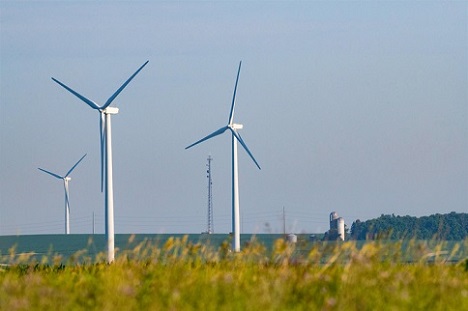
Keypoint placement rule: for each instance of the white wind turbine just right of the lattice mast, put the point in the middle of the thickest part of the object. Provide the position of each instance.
(233, 127)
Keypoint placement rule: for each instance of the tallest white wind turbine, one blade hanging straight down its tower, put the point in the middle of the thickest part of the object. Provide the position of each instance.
(105, 112)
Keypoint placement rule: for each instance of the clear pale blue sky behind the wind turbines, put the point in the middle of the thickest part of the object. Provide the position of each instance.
(354, 107)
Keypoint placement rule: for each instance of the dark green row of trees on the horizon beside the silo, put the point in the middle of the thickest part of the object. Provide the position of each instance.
(452, 226)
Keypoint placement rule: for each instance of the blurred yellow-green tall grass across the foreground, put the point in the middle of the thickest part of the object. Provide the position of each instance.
(181, 275)
